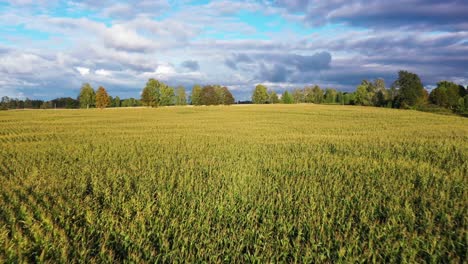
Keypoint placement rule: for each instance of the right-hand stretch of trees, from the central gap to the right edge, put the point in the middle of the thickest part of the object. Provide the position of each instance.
(405, 92)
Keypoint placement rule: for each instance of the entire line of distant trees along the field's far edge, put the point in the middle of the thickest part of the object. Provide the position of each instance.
(407, 92)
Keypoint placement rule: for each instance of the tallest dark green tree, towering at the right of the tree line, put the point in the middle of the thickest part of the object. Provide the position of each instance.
(410, 89)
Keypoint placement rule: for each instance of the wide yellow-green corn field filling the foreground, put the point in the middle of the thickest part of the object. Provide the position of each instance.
(271, 183)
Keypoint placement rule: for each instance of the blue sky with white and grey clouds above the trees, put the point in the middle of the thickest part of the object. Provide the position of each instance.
(49, 48)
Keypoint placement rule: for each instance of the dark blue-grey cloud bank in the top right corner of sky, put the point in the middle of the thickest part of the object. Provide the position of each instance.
(450, 15)
